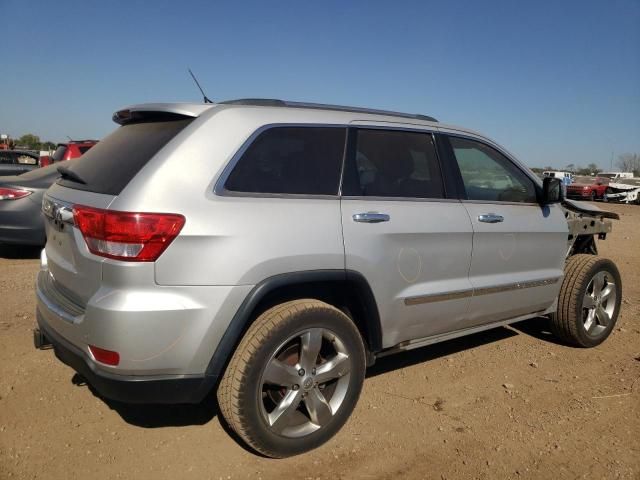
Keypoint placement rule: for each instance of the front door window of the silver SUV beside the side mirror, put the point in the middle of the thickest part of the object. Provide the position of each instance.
(490, 176)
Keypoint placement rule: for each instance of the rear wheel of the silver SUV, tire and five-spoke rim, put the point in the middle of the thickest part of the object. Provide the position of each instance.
(273, 339)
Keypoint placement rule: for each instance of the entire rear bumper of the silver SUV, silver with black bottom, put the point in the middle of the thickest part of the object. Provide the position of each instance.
(165, 336)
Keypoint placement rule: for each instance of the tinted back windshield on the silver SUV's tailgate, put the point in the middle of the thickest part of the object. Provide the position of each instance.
(113, 162)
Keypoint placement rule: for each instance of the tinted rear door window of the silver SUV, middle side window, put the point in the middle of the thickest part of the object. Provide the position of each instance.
(391, 163)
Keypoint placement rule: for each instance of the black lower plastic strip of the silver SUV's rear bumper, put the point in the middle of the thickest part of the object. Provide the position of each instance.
(129, 389)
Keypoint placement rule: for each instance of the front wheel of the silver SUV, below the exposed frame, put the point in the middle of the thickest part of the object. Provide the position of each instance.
(583, 308)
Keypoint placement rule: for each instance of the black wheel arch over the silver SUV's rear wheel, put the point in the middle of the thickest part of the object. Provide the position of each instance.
(345, 289)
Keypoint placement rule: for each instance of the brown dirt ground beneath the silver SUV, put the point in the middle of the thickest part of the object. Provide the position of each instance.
(508, 403)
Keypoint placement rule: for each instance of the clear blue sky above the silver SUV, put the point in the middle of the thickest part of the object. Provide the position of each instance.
(555, 82)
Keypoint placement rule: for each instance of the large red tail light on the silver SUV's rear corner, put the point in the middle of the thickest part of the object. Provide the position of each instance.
(129, 236)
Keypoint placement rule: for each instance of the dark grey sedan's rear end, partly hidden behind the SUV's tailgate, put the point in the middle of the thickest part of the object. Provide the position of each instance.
(21, 219)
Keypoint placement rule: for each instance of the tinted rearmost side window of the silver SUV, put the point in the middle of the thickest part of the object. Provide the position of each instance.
(291, 160)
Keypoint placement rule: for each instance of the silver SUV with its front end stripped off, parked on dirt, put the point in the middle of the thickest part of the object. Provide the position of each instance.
(272, 250)
